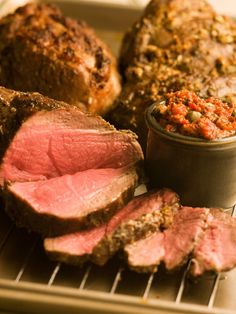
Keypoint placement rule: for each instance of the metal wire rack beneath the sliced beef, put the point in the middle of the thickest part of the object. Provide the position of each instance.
(22, 260)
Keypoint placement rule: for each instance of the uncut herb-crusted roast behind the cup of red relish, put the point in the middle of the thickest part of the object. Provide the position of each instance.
(177, 44)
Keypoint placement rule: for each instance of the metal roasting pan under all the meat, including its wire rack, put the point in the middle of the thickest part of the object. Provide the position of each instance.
(30, 283)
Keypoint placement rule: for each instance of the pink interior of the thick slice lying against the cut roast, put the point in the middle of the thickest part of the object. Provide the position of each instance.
(71, 195)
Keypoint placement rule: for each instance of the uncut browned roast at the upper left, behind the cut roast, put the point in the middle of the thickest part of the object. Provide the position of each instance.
(43, 51)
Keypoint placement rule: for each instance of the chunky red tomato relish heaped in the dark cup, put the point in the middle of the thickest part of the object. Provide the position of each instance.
(186, 113)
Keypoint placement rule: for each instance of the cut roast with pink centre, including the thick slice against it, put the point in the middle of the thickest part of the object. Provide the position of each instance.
(62, 169)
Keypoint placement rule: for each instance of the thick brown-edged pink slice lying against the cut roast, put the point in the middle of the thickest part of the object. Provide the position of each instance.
(68, 203)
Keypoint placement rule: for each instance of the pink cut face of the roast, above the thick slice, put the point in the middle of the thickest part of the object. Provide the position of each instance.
(68, 141)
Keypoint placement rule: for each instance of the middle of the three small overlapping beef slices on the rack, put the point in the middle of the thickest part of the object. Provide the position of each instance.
(173, 246)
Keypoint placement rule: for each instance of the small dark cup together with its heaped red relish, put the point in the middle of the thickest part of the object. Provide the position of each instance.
(191, 148)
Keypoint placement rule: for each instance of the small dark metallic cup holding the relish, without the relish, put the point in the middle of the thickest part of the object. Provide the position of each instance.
(202, 172)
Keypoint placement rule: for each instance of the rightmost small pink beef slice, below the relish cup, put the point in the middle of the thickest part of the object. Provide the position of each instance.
(216, 251)
